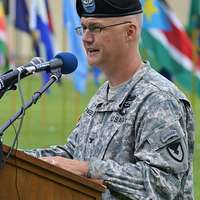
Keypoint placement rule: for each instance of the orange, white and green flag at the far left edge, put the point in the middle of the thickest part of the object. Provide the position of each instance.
(3, 37)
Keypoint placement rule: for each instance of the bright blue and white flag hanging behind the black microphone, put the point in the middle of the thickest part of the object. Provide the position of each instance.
(39, 24)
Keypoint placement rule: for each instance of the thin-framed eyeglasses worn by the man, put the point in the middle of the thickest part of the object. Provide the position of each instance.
(95, 28)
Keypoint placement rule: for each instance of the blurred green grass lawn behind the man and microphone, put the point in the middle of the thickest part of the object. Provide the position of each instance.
(52, 118)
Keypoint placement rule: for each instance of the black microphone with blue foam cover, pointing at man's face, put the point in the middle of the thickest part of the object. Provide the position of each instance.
(67, 63)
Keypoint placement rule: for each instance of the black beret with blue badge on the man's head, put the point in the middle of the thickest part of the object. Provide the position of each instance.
(108, 8)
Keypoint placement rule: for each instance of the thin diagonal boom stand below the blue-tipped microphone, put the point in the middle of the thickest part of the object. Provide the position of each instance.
(54, 77)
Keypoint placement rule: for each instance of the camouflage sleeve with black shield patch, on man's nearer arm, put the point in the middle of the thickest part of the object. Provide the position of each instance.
(161, 153)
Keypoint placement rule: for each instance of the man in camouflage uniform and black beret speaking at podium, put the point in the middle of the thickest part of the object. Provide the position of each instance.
(137, 133)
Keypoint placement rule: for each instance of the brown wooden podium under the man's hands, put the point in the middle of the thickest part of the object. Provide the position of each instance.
(27, 178)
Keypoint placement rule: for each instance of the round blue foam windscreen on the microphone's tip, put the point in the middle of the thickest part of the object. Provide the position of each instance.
(69, 60)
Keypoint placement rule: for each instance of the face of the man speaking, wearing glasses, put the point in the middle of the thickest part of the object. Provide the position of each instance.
(103, 46)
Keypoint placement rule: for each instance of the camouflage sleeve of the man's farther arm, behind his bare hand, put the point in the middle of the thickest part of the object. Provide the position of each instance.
(66, 150)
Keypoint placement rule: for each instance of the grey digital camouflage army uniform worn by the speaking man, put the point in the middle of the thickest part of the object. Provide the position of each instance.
(140, 142)
